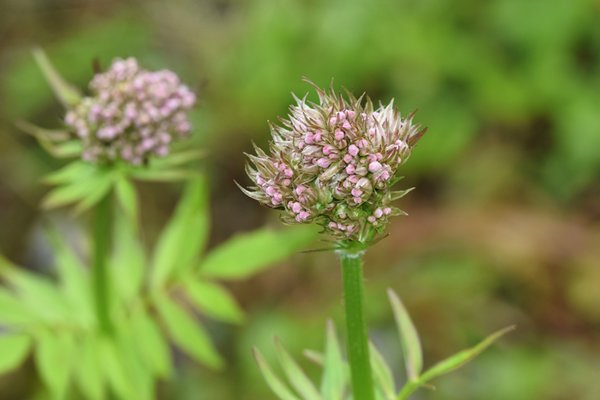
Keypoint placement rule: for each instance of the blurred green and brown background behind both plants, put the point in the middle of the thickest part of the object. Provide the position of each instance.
(504, 223)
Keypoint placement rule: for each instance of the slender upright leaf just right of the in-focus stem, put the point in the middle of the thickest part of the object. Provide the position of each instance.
(409, 338)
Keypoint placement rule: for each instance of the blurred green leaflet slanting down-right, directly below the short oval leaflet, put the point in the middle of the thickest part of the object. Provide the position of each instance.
(187, 333)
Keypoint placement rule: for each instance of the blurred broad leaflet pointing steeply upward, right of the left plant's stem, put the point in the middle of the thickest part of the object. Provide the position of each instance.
(185, 234)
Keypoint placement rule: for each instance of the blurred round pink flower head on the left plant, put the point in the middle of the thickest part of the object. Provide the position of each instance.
(131, 114)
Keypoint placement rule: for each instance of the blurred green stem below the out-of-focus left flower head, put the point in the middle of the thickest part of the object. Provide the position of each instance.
(102, 239)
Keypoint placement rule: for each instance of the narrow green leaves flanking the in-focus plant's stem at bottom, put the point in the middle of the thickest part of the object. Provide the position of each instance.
(335, 382)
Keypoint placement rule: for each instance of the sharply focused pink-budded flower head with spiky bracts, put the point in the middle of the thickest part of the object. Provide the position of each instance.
(334, 163)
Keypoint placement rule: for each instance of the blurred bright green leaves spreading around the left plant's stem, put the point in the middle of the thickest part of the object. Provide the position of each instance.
(150, 307)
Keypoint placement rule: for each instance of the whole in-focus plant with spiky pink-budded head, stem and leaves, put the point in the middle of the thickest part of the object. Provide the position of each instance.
(335, 163)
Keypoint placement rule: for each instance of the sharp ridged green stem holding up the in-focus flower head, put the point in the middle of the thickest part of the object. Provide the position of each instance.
(358, 344)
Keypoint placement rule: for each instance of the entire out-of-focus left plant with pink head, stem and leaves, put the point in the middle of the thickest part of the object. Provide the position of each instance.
(104, 324)
